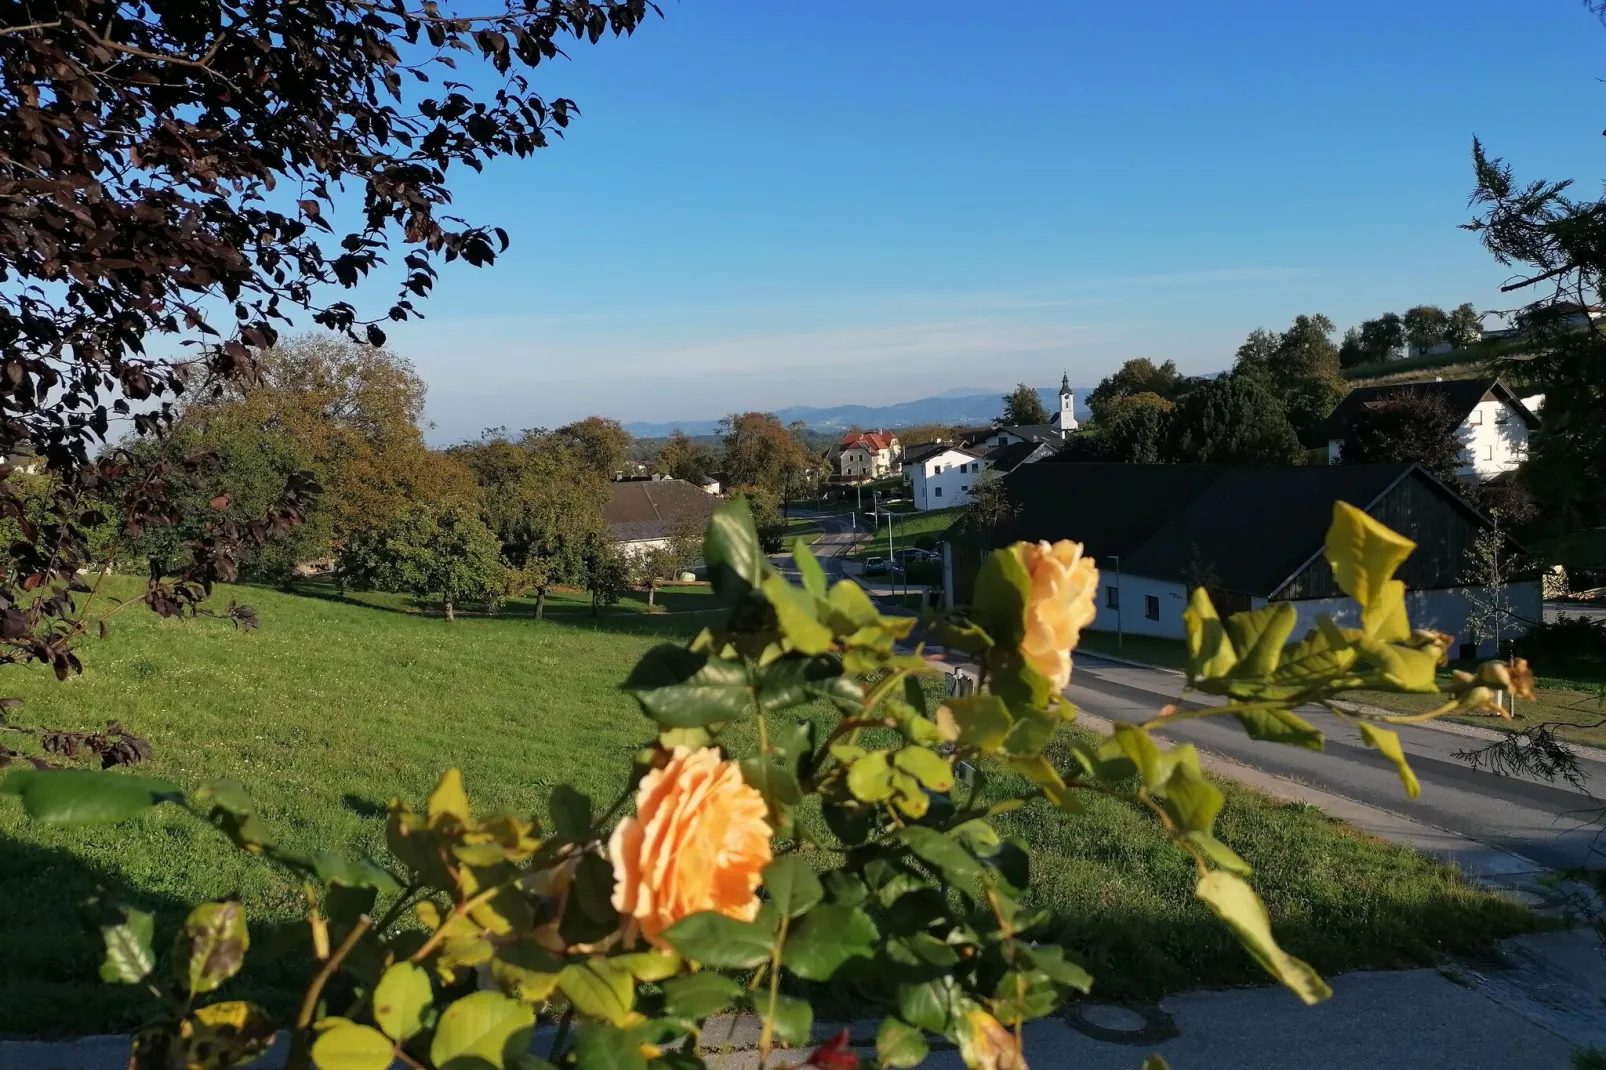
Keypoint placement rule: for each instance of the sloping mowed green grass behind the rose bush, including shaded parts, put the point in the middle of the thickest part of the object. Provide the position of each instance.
(336, 706)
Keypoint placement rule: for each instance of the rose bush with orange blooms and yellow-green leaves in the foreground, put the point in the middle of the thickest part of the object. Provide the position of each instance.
(855, 852)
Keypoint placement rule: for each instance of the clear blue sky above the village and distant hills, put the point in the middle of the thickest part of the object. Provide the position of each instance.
(770, 202)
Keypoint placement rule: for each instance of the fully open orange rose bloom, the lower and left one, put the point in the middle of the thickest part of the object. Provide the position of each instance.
(699, 843)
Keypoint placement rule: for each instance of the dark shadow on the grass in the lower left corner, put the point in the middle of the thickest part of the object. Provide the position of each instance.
(51, 957)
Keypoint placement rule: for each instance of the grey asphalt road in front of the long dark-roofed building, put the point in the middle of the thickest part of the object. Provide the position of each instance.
(1552, 825)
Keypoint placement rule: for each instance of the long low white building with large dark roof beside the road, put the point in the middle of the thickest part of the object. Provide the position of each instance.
(1249, 536)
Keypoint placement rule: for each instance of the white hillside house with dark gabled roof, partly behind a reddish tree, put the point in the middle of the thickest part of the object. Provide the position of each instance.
(1493, 423)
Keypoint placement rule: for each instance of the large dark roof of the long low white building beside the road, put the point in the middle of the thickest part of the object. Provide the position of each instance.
(1253, 528)
